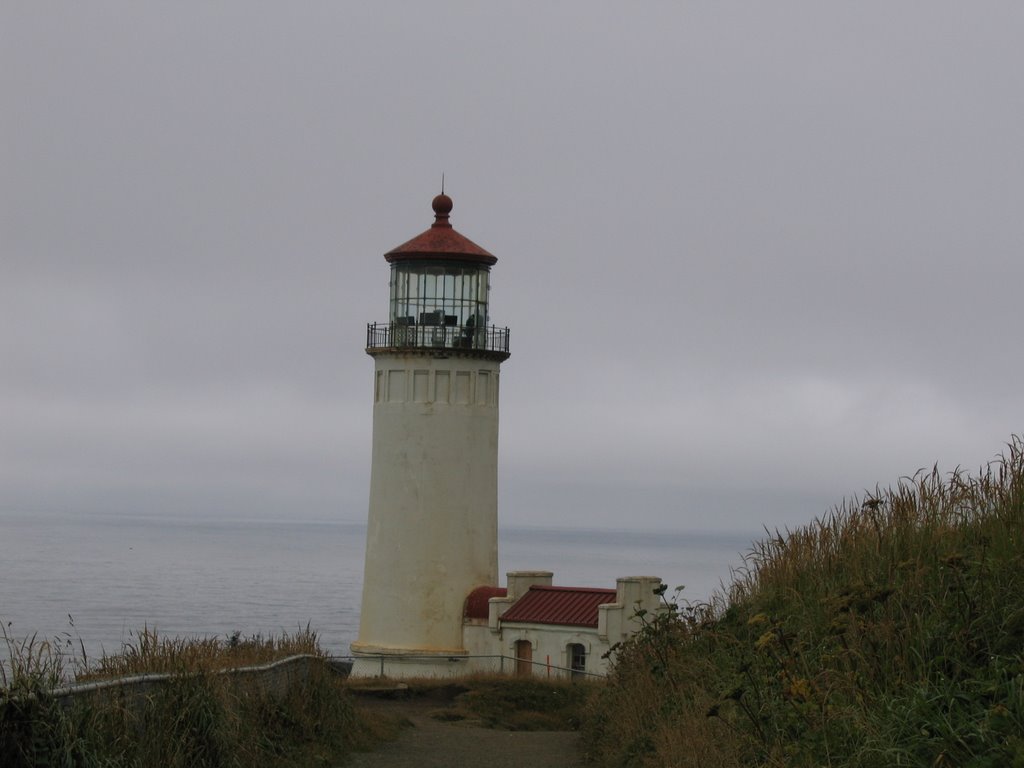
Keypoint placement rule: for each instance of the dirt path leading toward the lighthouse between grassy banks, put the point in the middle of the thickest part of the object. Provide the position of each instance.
(430, 743)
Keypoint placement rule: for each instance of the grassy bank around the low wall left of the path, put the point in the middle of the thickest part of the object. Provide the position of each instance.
(199, 718)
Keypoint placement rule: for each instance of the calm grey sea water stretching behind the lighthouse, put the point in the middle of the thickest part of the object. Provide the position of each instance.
(98, 580)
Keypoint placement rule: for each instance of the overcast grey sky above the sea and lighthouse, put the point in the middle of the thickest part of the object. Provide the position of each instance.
(755, 259)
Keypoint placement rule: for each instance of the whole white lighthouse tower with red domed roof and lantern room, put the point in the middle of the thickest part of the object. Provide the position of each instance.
(433, 531)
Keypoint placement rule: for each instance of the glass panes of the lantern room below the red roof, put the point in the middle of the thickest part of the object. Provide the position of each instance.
(440, 294)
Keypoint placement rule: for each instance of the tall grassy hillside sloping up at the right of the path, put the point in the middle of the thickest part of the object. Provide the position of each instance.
(889, 634)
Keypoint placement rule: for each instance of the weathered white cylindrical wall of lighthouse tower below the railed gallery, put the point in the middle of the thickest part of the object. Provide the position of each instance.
(433, 530)
